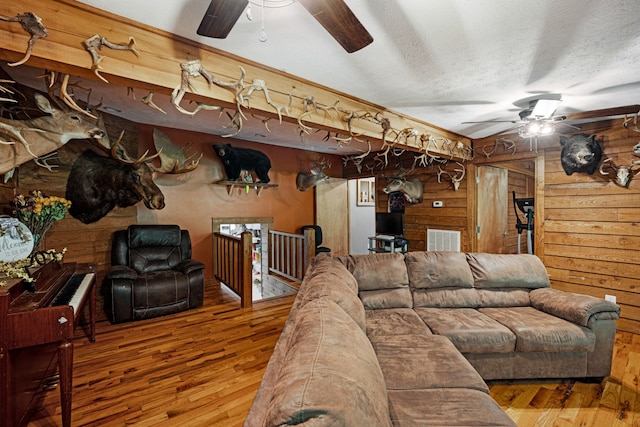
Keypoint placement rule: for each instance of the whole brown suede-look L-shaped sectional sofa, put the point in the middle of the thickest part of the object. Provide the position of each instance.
(408, 339)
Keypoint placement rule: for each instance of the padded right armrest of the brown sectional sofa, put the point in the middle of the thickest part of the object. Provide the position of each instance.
(576, 308)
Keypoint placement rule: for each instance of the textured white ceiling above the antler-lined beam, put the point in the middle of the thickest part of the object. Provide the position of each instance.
(443, 62)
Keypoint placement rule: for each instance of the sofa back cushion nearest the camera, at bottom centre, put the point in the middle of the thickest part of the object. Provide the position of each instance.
(331, 377)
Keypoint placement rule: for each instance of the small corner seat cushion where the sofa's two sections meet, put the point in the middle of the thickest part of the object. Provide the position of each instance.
(395, 321)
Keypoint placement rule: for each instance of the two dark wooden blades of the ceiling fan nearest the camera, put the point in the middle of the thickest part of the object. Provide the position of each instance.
(334, 15)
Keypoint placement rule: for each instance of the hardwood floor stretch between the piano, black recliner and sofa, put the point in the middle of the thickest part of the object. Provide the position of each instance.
(198, 368)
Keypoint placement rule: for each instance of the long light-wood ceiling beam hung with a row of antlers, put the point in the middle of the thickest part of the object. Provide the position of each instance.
(158, 67)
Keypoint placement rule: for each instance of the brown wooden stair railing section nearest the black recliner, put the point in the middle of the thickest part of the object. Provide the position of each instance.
(232, 264)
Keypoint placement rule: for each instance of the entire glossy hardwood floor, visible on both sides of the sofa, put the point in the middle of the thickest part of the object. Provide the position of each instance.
(203, 367)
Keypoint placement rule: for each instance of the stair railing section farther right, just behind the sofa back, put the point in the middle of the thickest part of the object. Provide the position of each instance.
(289, 254)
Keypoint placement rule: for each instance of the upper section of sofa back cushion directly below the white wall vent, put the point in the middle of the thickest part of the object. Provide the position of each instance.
(438, 269)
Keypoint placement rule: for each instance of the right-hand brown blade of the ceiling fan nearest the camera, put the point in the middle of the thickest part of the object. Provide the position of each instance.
(336, 17)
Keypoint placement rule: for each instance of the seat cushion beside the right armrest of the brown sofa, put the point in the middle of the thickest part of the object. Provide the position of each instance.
(542, 332)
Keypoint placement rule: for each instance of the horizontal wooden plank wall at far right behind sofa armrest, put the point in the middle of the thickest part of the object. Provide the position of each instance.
(592, 233)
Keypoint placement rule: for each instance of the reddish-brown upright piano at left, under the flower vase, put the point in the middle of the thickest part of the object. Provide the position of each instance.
(37, 323)
